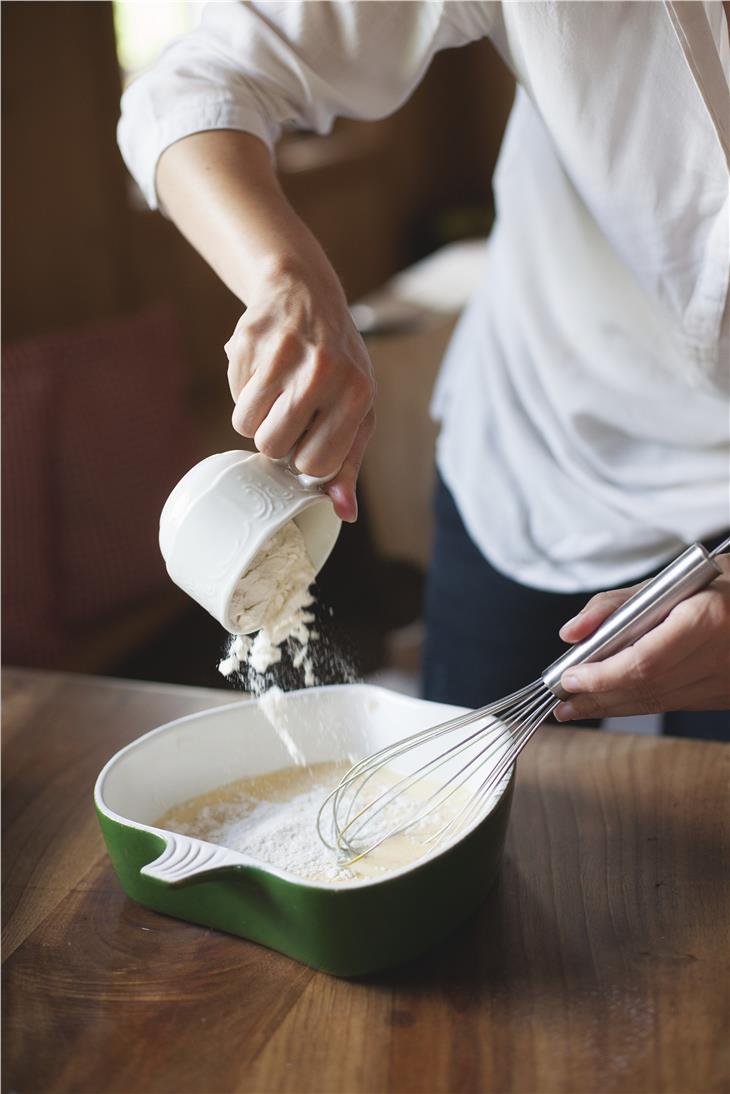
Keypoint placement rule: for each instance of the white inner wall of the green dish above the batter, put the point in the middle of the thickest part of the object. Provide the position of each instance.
(200, 753)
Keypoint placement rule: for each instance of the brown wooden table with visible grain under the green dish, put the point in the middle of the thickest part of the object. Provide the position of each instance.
(600, 961)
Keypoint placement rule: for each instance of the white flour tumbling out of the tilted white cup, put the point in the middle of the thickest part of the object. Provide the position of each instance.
(274, 597)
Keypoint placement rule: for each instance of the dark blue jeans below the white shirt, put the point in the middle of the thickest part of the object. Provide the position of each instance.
(488, 635)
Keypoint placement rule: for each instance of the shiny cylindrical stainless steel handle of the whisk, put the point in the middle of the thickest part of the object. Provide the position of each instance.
(641, 613)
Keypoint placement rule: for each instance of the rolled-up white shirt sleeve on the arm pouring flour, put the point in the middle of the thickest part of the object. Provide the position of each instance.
(262, 66)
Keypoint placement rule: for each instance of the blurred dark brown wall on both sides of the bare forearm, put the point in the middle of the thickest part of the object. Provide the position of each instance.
(75, 247)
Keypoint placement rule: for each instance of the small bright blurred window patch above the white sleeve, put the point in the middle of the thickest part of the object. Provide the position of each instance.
(143, 28)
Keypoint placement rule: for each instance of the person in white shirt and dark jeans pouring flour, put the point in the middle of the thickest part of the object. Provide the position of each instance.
(584, 402)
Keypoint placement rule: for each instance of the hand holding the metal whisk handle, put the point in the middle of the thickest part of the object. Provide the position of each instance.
(682, 665)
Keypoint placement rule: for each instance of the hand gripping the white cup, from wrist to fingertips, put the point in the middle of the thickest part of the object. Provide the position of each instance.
(302, 378)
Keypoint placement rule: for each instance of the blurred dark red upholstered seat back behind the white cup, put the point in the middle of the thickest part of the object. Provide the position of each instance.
(96, 433)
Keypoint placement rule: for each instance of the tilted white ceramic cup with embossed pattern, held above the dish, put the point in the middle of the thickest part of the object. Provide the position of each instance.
(223, 513)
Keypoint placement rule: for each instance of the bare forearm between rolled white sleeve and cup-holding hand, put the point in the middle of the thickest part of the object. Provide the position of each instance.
(222, 191)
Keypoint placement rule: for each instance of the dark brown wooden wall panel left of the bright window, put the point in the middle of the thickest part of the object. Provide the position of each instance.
(65, 212)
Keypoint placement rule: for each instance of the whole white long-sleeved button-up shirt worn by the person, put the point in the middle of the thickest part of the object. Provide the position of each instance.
(586, 398)
